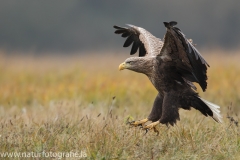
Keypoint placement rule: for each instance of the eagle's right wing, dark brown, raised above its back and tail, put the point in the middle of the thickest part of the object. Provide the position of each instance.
(189, 61)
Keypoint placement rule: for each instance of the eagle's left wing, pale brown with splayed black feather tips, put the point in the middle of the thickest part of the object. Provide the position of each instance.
(141, 39)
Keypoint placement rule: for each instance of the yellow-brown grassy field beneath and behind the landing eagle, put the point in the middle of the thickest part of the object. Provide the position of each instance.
(77, 104)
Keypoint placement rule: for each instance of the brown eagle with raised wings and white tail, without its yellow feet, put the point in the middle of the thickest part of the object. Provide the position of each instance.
(171, 66)
